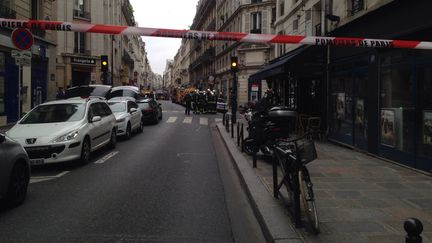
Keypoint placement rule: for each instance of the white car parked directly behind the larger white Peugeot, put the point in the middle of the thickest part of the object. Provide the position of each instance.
(128, 116)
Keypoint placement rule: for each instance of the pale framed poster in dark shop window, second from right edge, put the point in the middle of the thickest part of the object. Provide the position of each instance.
(388, 128)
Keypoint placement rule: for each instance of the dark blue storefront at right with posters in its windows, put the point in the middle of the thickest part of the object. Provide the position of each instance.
(379, 99)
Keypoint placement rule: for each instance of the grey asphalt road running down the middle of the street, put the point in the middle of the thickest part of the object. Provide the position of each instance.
(172, 183)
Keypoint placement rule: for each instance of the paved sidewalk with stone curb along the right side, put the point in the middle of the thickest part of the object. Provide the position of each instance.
(359, 198)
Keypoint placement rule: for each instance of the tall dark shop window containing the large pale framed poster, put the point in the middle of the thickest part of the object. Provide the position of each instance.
(397, 108)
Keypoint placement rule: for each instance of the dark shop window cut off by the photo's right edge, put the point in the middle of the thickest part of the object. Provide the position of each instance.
(424, 114)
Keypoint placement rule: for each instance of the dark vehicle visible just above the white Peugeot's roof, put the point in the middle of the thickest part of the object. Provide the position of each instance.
(88, 90)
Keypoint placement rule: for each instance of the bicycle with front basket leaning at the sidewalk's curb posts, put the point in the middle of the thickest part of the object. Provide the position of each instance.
(292, 155)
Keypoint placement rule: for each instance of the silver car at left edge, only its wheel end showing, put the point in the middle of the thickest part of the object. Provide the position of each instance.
(14, 171)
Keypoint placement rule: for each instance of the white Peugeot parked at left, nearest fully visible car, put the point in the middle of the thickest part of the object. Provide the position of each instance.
(66, 130)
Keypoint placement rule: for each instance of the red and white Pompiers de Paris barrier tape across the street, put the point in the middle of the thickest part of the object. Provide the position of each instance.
(209, 35)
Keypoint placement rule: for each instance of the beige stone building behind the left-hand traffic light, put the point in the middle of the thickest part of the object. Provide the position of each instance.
(78, 54)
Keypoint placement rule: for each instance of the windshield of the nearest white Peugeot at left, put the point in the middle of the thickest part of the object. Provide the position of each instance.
(55, 113)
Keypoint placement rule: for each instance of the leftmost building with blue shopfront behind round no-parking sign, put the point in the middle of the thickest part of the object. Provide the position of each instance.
(38, 78)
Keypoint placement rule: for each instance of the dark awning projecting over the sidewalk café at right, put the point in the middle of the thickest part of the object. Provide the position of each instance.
(277, 67)
